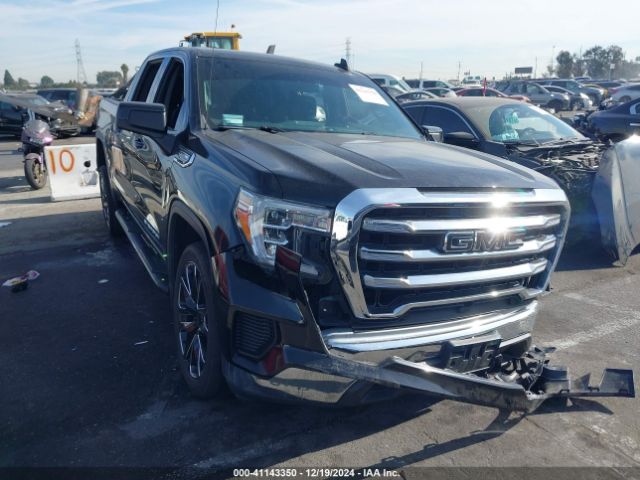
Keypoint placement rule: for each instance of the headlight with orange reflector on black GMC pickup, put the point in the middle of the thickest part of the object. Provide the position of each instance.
(267, 222)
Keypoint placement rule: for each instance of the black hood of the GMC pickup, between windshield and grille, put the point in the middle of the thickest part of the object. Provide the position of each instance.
(323, 168)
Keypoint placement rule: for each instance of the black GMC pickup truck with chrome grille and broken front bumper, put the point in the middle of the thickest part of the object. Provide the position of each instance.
(316, 246)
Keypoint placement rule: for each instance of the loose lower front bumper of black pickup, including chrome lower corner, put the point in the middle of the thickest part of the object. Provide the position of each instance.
(326, 378)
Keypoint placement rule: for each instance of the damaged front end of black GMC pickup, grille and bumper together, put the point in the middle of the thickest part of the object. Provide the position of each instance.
(400, 298)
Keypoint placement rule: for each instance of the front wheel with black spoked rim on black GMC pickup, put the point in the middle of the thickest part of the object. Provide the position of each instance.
(195, 326)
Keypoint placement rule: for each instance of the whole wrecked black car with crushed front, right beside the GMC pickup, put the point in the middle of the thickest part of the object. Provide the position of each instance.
(534, 138)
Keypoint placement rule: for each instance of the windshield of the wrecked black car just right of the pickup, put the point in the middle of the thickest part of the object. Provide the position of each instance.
(520, 123)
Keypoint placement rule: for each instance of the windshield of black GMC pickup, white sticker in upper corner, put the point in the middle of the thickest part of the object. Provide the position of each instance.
(238, 93)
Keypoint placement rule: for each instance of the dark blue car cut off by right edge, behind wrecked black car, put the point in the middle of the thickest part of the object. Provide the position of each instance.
(616, 123)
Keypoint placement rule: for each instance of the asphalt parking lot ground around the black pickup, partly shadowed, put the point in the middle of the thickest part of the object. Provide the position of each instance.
(90, 377)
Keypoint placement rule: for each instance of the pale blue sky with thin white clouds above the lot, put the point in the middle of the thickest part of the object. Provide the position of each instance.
(487, 38)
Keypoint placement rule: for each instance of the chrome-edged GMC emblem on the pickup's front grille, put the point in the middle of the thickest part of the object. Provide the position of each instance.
(482, 241)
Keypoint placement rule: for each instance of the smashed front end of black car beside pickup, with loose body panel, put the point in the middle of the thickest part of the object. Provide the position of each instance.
(602, 182)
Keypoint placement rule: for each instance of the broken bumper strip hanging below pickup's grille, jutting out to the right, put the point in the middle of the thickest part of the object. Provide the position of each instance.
(521, 384)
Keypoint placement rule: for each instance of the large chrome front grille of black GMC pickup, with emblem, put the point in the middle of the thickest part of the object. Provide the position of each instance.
(391, 251)
